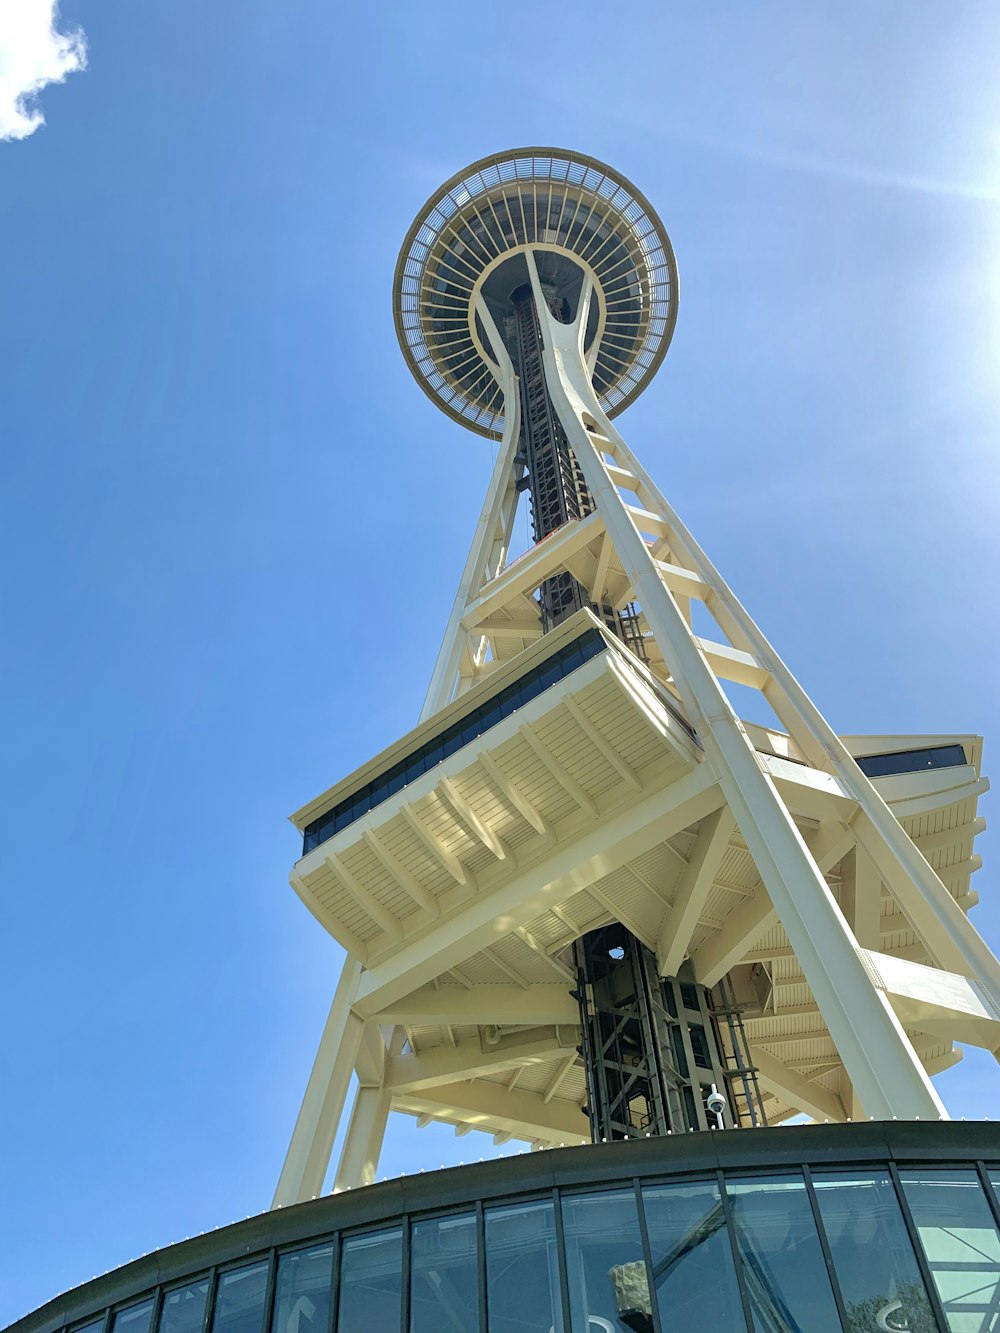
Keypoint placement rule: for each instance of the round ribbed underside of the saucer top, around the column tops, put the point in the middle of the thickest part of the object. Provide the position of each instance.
(557, 202)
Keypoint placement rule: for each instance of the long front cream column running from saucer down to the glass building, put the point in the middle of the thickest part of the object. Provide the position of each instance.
(869, 1036)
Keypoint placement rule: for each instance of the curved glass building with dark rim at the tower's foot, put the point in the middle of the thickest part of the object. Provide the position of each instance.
(817, 1230)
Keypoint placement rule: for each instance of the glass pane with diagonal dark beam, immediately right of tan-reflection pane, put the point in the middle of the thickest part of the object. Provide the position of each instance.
(693, 1259)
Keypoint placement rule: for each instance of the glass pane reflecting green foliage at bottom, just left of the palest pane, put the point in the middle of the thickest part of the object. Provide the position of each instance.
(873, 1256)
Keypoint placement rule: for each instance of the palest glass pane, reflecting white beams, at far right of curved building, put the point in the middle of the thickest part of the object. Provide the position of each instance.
(962, 1246)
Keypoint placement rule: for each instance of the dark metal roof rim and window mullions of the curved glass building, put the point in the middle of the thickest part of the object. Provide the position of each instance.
(715, 1158)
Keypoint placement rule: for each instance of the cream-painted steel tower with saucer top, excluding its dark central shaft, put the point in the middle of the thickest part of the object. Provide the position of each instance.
(626, 791)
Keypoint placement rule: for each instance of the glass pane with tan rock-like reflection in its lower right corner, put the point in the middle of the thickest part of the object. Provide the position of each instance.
(609, 1283)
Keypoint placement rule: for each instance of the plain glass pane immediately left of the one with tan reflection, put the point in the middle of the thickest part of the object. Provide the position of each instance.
(523, 1270)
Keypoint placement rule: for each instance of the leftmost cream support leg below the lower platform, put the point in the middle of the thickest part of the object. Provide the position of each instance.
(315, 1130)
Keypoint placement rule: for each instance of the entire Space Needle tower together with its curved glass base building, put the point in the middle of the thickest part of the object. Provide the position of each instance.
(591, 910)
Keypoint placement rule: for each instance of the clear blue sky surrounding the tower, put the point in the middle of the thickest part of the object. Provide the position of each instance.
(234, 525)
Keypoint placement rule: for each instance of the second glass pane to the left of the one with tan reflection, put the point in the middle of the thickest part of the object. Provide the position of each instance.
(445, 1276)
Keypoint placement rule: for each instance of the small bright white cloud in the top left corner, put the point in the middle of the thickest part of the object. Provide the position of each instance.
(33, 55)
